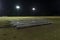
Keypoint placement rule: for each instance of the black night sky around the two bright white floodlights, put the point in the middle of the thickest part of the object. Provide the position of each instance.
(44, 7)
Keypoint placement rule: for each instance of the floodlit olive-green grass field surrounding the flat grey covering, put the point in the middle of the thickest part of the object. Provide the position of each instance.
(44, 32)
